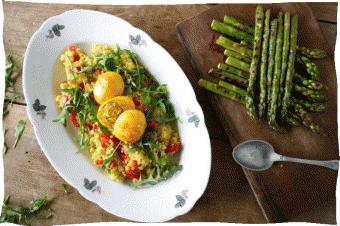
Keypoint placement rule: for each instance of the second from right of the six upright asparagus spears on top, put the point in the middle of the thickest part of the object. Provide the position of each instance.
(285, 52)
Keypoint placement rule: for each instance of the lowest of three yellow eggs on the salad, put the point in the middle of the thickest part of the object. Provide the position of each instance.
(130, 126)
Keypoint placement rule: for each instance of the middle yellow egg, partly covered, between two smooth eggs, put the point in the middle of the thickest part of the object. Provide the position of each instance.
(109, 111)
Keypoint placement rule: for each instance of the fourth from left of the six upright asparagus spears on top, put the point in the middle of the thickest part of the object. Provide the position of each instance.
(277, 72)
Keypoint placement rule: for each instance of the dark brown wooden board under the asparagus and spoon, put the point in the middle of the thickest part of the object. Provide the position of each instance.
(286, 190)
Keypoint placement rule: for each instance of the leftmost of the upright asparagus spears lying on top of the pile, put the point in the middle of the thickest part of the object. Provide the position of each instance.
(253, 72)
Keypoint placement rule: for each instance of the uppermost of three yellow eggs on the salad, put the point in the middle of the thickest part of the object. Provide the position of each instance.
(108, 85)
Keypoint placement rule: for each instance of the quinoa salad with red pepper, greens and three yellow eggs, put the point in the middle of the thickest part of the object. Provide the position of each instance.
(122, 114)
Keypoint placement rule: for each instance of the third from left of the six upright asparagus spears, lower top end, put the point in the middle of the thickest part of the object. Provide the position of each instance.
(271, 61)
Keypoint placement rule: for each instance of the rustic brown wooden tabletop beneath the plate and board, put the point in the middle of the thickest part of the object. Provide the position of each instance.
(29, 175)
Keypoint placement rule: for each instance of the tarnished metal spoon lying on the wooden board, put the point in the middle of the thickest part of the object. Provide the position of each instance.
(259, 155)
